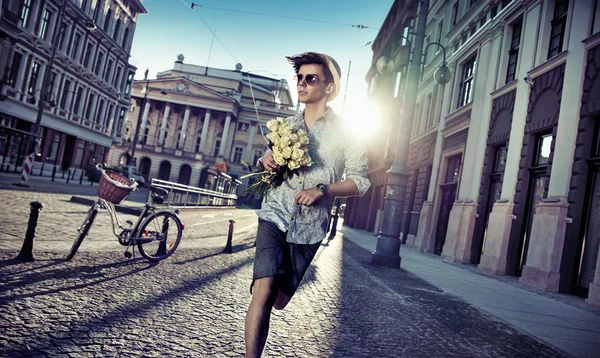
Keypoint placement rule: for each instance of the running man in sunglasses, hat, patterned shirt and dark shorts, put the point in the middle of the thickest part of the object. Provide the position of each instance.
(294, 216)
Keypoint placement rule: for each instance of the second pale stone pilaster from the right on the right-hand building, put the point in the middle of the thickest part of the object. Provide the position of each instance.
(493, 259)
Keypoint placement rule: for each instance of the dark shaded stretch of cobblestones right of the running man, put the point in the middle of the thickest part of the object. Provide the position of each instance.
(395, 310)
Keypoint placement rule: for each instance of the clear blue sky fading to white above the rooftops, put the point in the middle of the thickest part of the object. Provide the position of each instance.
(260, 43)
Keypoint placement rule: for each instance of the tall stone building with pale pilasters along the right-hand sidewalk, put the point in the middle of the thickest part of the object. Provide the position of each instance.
(505, 158)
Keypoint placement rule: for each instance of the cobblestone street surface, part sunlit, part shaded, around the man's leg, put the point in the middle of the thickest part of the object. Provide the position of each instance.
(193, 304)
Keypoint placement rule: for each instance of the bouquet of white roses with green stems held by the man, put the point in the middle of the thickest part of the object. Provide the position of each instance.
(289, 146)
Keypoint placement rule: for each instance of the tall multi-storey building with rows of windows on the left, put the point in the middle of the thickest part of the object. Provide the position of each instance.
(90, 82)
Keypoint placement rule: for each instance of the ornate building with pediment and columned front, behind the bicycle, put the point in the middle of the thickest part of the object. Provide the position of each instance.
(196, 118)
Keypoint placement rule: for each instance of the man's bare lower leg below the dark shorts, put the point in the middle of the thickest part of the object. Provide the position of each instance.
(258, 315)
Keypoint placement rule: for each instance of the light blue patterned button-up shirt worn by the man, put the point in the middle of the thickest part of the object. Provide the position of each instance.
(335, 153)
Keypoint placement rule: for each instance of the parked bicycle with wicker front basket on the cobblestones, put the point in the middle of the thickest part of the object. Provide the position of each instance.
(156, 233)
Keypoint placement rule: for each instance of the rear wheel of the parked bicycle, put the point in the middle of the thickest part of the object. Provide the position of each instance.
(159, 235)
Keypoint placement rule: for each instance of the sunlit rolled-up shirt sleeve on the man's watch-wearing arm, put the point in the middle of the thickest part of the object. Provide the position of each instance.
(356, 163)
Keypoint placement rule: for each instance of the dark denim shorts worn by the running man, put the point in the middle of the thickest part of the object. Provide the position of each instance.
(275, 257)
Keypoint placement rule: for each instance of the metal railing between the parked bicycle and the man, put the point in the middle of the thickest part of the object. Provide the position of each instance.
(183, 196)
